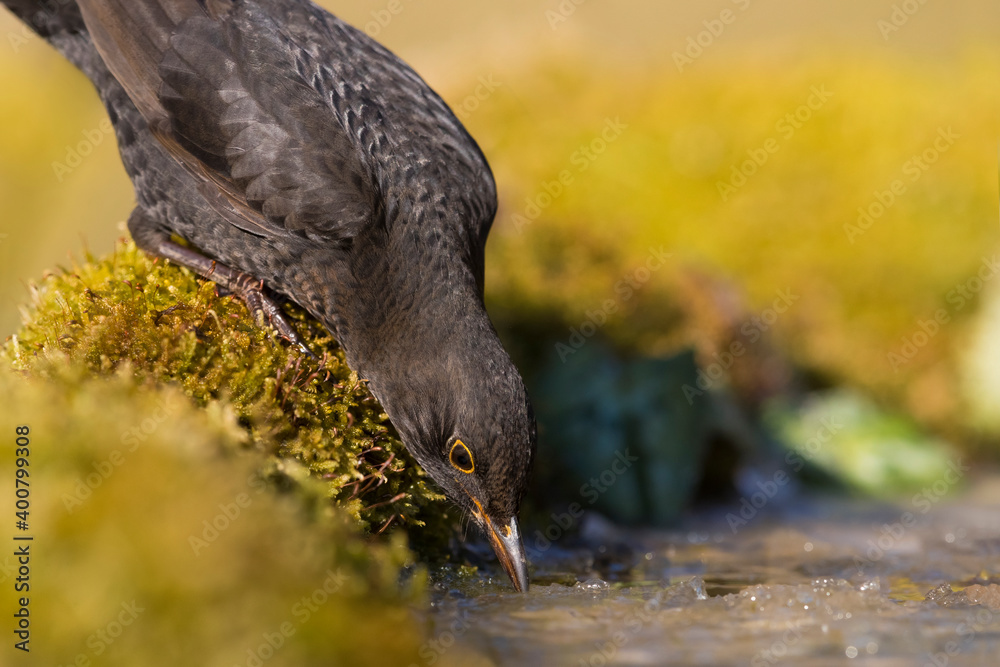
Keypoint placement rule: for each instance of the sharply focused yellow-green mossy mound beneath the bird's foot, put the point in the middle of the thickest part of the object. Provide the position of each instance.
(128, 314)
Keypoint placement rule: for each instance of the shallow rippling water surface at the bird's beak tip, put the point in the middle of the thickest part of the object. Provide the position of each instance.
(823, 583)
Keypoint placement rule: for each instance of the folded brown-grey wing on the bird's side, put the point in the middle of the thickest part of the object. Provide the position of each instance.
(219, 85)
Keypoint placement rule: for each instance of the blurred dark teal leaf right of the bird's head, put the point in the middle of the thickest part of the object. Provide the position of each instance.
(619, 436)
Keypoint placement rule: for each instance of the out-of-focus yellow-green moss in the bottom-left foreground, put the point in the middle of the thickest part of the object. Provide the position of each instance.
(170, 549)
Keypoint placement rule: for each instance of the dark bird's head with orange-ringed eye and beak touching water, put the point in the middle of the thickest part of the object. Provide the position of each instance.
(462, 411)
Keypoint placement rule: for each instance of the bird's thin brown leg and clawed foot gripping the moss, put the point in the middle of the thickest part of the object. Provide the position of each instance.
(149, 238)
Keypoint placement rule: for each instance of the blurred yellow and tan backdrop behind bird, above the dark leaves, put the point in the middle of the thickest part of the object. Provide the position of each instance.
(657, 183)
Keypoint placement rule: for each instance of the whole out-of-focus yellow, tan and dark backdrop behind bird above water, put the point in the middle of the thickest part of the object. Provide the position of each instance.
(768, 212)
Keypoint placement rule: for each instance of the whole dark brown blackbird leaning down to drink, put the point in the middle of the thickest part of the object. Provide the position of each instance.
(298, 158)
